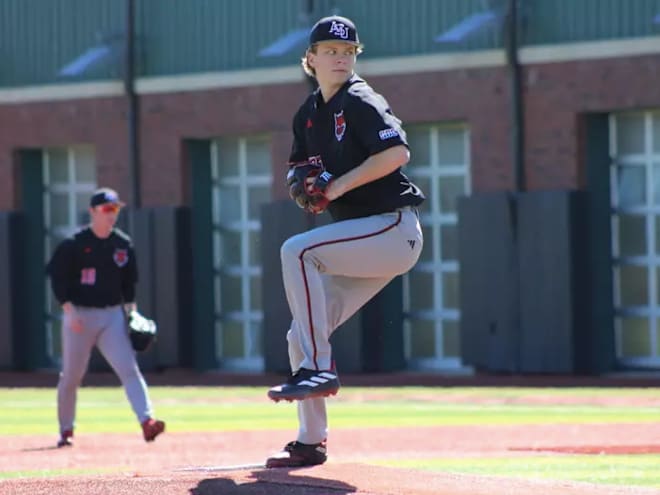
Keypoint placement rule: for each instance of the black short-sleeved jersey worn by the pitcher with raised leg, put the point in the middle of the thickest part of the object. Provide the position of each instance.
(342, 133)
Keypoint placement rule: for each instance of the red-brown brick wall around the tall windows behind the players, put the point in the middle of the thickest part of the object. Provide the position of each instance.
(556, 95)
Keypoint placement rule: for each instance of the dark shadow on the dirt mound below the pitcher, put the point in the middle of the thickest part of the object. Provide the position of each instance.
(273, 482)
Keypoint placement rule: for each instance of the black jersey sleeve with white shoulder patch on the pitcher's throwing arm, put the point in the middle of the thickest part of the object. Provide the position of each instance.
(373, 123)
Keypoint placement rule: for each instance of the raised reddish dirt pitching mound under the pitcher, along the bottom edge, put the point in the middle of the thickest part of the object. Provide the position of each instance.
(330, 479)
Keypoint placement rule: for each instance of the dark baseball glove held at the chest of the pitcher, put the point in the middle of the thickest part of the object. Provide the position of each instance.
(307, 185)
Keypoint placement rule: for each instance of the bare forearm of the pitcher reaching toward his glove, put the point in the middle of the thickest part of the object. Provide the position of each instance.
(373, 168)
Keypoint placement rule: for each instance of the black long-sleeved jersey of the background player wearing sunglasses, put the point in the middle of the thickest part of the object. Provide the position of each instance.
(89, 271)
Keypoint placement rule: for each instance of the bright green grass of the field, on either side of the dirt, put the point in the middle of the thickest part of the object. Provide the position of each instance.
(218, 409)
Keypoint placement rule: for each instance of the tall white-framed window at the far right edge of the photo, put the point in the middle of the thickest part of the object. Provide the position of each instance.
(635, 186)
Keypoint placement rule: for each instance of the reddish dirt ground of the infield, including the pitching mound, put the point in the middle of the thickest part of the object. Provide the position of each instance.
(205, 463)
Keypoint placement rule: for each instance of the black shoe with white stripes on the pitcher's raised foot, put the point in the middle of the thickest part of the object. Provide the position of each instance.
(306, 384)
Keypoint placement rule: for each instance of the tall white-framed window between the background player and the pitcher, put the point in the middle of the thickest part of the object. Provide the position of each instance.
(241, 173)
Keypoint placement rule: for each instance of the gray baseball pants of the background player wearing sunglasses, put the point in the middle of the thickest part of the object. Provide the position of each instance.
(105, 328)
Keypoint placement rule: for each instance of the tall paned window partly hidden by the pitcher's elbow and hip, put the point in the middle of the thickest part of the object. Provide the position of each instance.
(440, 165)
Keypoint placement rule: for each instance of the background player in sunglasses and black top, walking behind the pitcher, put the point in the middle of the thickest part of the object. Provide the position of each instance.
(93, 276)
